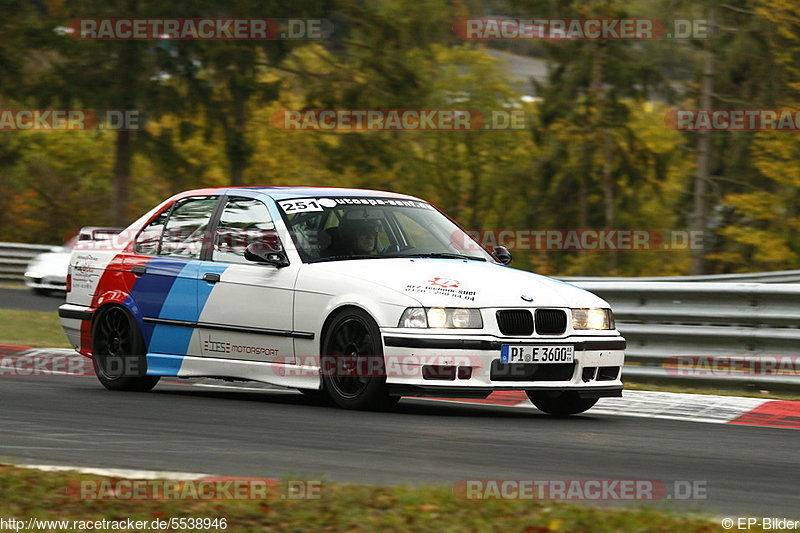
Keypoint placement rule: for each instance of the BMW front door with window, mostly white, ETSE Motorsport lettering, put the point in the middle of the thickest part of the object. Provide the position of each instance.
(246, 307)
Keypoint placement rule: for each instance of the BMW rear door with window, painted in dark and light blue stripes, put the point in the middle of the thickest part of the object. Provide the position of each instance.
(166, 287)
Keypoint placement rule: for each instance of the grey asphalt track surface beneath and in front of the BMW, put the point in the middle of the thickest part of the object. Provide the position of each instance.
(70, 420)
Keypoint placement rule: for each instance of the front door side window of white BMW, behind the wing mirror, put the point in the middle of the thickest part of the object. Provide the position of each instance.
(243, 221)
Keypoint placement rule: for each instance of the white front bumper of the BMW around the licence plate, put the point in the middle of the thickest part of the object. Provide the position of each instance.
(436, 365)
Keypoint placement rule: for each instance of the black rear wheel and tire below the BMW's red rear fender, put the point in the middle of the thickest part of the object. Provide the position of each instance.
(119, 353)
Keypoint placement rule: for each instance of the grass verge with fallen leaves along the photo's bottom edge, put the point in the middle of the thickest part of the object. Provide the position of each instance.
(28, 494)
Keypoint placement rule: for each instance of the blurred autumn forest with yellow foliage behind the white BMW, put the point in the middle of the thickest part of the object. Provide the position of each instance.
(595, 151)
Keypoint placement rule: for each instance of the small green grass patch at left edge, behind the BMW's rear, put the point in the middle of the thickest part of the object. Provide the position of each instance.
(39, 329)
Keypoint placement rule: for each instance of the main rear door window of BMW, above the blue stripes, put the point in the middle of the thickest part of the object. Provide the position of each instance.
(187, 227)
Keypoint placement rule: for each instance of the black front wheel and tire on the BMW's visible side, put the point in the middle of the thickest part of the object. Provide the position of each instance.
(353, 368)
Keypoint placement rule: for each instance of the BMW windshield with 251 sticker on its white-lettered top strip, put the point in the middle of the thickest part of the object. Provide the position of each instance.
(338, 229)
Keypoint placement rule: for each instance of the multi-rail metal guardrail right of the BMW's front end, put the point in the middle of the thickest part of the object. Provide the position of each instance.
(725, 327)
